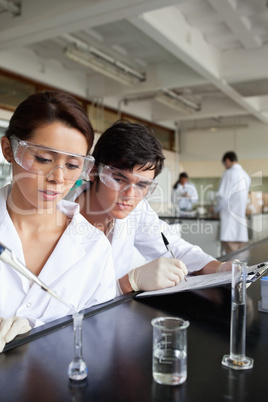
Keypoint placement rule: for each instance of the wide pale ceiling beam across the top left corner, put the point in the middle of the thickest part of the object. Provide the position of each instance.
(41, 20)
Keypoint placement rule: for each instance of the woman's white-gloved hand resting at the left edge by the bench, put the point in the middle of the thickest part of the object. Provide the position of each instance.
(11, 327)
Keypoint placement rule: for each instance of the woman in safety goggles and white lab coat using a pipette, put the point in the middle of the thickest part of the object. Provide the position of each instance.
(47, 143)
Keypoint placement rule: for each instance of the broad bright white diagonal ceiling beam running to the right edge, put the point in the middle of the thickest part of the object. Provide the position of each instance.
(170, 30)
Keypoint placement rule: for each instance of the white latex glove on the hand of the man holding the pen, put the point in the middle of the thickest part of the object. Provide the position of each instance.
(158, 274)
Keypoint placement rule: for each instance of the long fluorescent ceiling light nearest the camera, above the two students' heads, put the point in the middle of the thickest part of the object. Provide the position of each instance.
(104, 64)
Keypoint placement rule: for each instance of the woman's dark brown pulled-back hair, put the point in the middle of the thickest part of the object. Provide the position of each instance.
(46, 108)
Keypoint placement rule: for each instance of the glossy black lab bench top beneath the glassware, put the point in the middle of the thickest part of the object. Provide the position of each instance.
(117, 347)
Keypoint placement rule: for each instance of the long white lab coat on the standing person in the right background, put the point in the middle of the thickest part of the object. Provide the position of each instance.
(232, 199)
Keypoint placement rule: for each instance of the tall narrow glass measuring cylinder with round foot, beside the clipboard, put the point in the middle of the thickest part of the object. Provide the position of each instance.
(237, 358)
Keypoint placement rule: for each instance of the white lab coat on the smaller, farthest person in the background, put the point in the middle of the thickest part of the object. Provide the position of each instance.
(180, 199)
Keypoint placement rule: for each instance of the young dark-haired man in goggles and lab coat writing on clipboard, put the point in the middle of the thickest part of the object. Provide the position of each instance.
(128, 157)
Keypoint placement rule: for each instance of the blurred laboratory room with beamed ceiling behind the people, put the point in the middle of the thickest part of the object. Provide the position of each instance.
(195, 71)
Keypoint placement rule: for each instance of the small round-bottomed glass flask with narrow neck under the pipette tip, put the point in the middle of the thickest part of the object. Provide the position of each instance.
(77, 370)
